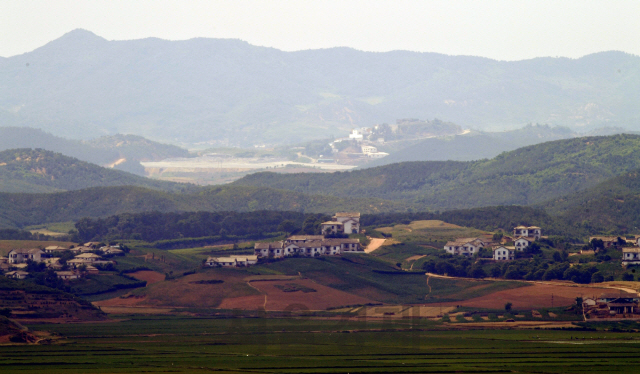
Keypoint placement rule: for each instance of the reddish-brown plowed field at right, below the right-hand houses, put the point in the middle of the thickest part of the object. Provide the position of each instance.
(534, 296)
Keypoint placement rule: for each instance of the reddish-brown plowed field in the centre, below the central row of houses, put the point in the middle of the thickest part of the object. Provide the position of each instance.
(323, 298)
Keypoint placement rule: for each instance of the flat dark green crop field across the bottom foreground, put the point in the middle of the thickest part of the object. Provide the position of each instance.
(300, 345)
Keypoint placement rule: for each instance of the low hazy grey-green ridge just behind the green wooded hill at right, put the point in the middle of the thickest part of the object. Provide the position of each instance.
(475, 145)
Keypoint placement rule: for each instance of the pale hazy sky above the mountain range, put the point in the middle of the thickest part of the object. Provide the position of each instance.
(505, 30)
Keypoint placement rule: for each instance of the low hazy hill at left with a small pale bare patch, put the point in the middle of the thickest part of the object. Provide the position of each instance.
(123, 152)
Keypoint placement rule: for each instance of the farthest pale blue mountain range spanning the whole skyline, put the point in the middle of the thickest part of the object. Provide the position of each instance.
(81, 85)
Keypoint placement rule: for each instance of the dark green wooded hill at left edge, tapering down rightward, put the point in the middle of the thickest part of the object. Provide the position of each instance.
(29, 170)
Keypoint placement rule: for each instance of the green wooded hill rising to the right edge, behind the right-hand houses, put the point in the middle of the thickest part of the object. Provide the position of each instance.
(525, 176)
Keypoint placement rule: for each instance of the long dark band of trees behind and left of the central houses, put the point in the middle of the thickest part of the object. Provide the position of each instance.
(154, 226)
